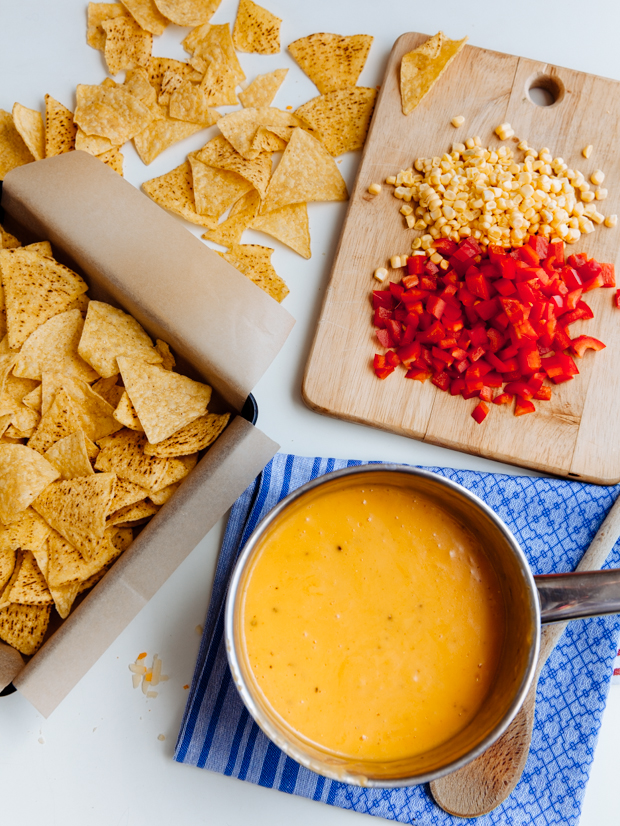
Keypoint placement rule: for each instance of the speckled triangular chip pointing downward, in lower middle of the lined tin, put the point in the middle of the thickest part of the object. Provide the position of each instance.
(77, 509)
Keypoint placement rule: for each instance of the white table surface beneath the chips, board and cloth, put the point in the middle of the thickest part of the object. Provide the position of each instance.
(97, 759)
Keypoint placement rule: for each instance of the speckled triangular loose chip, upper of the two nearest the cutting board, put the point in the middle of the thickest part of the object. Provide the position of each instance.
(330, 60)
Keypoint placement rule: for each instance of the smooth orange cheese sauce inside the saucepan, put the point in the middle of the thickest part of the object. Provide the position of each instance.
(373, 622)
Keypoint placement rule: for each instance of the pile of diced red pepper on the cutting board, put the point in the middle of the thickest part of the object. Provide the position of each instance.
(493, 321)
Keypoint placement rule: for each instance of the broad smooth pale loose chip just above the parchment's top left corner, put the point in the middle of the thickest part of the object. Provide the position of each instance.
(113, 113)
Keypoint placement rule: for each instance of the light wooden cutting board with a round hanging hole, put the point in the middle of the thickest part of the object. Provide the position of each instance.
(577, 433)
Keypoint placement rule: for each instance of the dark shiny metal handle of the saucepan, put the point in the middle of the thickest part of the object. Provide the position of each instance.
(578, 595)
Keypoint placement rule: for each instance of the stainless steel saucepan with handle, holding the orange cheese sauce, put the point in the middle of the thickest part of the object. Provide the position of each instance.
(529, 601)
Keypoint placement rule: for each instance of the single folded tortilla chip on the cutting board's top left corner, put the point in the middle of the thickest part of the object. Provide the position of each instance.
(422, 68)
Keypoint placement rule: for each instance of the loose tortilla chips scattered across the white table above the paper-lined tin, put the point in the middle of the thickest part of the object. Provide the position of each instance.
(227, 186)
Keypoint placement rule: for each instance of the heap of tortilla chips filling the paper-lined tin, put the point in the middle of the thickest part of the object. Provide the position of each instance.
(96, 433)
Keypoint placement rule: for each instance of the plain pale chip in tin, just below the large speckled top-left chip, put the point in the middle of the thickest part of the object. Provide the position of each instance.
(54, 347)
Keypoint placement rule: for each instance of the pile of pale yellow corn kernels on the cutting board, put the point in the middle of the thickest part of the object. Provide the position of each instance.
(484, 193)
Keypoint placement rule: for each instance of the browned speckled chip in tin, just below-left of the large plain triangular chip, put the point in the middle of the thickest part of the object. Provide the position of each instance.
(123, 453)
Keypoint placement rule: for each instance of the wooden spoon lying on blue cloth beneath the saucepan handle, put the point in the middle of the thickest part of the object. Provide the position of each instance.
(483, 784)
